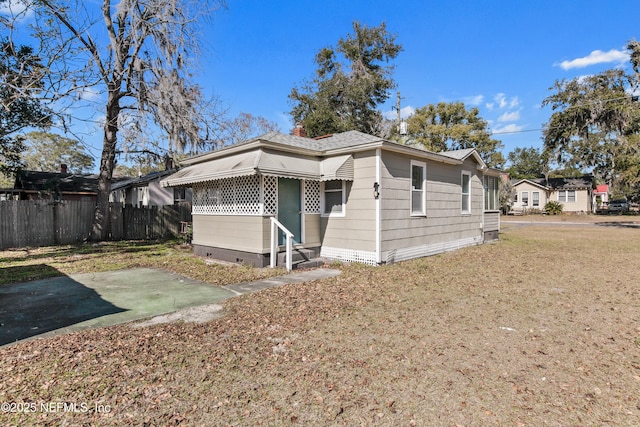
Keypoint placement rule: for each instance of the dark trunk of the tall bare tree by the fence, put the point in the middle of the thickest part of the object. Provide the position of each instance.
(100, 225)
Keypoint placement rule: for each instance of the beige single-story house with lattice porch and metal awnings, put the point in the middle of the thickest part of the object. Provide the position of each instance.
(348, 196)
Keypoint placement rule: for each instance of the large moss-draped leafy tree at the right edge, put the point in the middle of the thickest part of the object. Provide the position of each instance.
(595, 125)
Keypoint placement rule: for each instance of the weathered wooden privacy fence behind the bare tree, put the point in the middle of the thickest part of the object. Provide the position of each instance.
(39, 223)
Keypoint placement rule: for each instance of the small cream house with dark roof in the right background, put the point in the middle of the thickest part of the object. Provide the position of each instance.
(575, 194)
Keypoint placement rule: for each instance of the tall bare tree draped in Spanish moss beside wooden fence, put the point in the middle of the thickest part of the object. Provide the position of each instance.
(140, 55)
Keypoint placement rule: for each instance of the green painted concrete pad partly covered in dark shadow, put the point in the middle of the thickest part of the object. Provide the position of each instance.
(70, 303)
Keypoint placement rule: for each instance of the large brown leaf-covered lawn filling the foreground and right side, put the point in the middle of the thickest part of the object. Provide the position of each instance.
(540, 328)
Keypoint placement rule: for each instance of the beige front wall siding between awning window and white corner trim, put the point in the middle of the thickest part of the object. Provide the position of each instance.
(356, 229)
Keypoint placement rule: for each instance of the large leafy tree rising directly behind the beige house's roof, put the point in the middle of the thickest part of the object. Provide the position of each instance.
(351, 81)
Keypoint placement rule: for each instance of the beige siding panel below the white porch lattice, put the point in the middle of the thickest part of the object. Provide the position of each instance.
(247, 233)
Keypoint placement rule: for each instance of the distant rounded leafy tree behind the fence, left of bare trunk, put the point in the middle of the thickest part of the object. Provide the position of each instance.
(47, 151)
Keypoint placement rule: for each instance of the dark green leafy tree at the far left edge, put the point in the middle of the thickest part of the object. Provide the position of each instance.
(21, 75)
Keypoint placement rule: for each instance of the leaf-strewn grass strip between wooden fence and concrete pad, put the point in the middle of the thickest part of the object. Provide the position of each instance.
(40, 263)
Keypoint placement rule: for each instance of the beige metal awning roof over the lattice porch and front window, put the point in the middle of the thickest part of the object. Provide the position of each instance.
(264, 162)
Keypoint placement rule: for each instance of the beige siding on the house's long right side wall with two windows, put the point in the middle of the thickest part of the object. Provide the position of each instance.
(444, 222)
